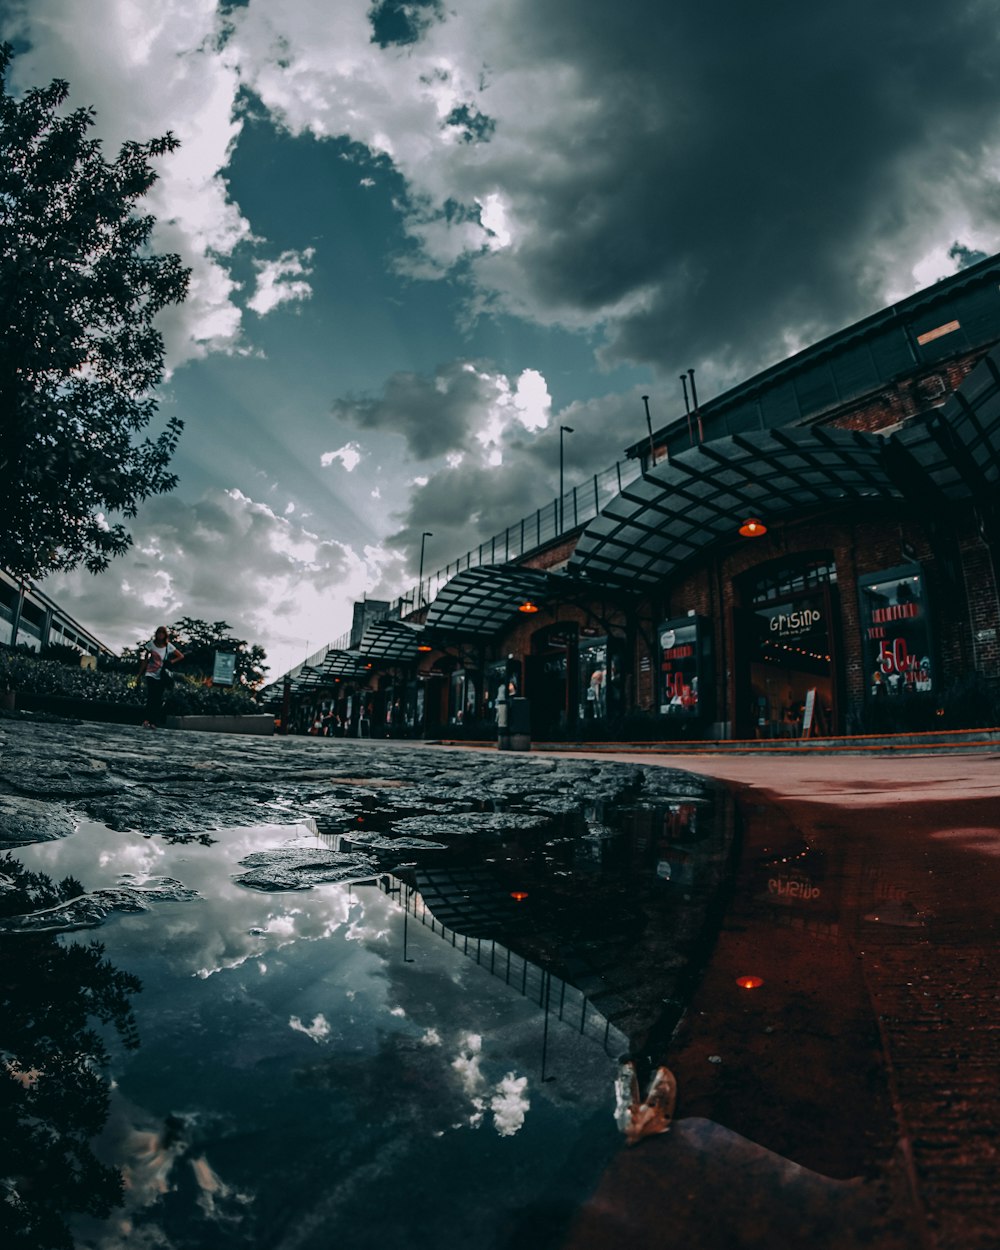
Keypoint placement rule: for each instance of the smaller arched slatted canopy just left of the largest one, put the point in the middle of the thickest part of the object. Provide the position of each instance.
(479, 602)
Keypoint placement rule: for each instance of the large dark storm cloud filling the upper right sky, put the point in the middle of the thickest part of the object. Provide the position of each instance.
(754, 169)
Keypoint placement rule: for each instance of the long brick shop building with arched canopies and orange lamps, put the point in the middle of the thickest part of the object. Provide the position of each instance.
(814, 552)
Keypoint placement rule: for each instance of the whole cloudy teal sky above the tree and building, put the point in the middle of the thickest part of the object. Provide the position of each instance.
(426, 234)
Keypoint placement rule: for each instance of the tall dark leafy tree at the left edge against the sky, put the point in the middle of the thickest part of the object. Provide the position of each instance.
(79, 353)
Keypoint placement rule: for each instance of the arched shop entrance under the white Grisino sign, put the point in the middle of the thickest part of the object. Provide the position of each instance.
(787, 648)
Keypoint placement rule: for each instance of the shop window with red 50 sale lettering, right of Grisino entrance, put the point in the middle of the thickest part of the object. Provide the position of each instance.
(897, 633)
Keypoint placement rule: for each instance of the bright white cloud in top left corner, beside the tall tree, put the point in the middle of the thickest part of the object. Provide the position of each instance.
(147, 72)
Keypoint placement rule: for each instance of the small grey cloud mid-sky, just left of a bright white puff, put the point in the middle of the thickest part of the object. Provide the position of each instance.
(436, 416)
